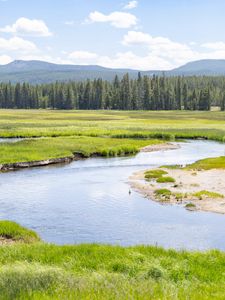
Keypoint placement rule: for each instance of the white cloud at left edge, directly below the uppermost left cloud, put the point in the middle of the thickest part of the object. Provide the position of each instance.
(17, 44)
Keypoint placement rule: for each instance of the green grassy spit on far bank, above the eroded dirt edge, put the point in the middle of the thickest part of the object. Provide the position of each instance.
(46, 148)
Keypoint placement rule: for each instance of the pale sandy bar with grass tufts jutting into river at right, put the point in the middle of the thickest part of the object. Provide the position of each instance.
(187, 184)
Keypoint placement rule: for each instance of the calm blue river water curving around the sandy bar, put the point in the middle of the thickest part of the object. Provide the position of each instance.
(88, 201)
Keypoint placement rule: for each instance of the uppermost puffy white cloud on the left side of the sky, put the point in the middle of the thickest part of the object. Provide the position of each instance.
(24, 26)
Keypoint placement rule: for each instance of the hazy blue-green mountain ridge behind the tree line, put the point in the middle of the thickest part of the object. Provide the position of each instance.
(43, 72)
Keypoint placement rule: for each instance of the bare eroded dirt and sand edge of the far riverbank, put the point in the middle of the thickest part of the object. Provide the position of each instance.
(77, 156)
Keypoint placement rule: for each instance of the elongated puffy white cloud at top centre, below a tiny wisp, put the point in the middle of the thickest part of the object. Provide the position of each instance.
(116, 19)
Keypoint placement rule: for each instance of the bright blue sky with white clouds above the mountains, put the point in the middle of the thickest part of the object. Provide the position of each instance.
(141, 34)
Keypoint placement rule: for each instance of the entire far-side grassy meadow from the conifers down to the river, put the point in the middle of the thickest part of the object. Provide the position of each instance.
(107, 133)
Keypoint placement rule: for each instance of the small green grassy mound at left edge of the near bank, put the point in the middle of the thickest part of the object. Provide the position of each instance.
(15, 232)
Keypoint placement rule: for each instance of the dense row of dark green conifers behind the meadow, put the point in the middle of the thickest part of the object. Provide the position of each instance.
(142, 93)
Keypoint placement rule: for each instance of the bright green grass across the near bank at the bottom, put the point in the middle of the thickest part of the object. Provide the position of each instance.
(44, 271)
